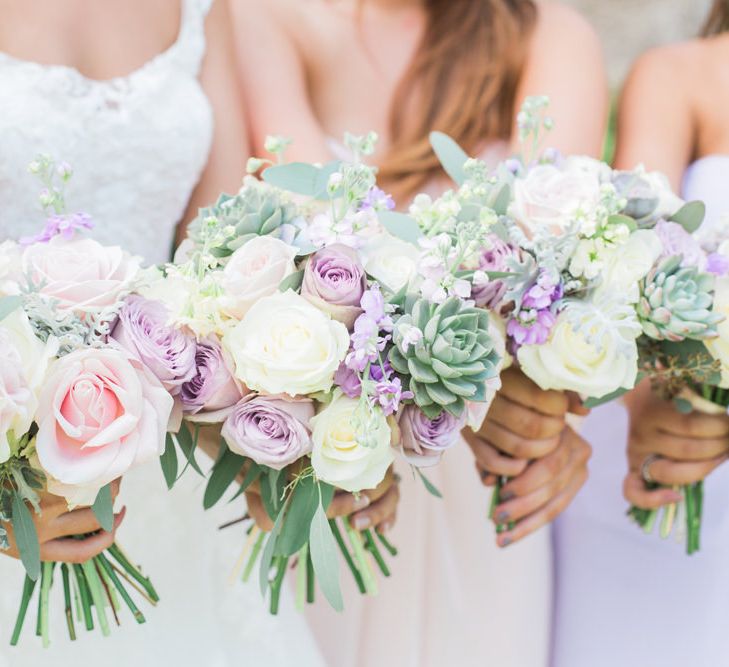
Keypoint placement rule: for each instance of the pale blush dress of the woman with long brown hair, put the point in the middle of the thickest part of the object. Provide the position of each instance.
(454, 597)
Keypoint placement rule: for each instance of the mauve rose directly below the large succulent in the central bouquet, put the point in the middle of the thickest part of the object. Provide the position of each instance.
(424, 440)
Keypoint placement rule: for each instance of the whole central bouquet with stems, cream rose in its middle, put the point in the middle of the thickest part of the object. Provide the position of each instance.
(323, 347)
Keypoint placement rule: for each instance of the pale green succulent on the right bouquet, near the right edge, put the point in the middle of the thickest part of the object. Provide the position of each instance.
(676, 301)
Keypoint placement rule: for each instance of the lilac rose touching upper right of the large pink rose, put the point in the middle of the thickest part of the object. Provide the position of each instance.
(143, 331)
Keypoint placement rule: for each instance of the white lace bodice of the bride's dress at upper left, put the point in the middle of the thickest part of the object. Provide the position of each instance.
(137, 144)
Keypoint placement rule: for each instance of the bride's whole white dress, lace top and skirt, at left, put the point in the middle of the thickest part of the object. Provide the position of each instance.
(138, 145)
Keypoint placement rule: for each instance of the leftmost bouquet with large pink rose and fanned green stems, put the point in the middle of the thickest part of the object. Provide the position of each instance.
(76, 412)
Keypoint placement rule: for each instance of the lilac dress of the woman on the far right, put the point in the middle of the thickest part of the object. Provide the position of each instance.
(627, 599)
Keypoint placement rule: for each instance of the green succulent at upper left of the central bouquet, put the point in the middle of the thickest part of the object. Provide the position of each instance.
(257, 210)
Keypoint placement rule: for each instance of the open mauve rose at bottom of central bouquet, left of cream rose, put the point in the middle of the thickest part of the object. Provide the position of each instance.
(271, 430)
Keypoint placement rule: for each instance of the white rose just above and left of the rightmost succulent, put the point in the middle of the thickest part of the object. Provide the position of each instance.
(627, 264)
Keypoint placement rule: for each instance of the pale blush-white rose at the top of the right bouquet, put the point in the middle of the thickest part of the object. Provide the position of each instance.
(554, 198)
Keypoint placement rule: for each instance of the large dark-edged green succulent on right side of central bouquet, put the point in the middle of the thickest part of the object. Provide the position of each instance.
(452, 360)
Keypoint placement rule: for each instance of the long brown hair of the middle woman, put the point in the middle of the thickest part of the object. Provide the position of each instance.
(462, 81)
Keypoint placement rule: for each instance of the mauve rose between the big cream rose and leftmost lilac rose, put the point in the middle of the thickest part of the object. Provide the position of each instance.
(212, 389)
